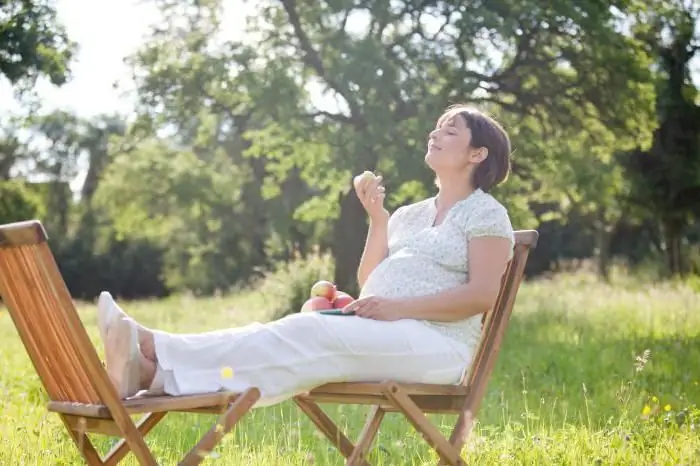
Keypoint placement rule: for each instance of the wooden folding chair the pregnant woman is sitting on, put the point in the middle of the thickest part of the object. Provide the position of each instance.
(415, 400)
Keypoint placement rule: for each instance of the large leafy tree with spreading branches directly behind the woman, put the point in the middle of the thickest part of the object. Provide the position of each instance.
(334, 88)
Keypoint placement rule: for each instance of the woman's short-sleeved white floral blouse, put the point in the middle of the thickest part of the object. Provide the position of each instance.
(425, 259)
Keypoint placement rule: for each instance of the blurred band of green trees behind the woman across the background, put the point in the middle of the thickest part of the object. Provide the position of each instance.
(239, 154)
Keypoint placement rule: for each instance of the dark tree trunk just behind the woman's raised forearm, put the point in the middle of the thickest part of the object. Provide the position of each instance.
(349, 234)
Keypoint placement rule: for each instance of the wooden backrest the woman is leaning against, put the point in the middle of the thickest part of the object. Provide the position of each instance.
(496, 321)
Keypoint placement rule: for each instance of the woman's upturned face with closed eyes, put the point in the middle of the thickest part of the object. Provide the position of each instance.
(449, 145)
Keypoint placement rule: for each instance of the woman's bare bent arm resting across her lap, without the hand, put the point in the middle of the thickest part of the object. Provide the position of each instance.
(488, 258)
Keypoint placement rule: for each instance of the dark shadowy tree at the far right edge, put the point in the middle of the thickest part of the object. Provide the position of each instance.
(667, 176)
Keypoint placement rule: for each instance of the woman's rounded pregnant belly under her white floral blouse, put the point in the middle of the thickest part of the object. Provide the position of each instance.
(410, 276)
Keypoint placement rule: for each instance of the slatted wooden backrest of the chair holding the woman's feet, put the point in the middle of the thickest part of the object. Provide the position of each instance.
(44, 314)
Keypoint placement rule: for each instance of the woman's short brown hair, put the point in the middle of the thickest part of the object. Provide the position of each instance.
(488, 133)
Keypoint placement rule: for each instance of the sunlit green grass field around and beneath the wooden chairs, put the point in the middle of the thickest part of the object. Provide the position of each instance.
(588, 374)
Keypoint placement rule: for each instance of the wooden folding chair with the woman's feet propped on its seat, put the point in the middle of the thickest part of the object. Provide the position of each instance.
(78, 387)
